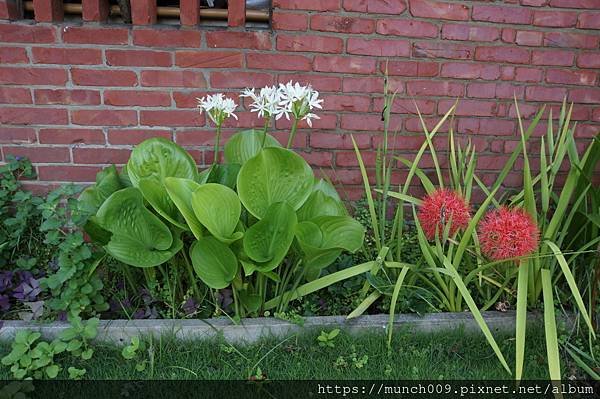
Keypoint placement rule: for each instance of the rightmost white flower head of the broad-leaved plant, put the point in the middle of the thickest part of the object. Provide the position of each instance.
(299, 101)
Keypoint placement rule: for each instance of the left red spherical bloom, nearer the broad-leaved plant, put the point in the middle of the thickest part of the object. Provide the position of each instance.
(441, 207)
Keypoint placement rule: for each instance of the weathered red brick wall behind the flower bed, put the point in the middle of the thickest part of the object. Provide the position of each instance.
(74, 98)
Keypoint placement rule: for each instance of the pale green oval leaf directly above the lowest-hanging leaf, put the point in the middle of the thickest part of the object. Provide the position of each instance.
(218, 208)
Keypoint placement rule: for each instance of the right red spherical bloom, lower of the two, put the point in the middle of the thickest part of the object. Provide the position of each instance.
(508, 233)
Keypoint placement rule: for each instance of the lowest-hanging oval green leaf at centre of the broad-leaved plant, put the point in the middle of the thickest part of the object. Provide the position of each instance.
(214, 262)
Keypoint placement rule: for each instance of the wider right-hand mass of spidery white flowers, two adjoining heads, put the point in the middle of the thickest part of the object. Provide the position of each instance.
(273, 101)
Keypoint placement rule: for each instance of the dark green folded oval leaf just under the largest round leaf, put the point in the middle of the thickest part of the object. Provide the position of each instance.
(268, 241)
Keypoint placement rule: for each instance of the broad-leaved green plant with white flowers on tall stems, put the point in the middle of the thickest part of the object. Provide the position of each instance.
(259, 223)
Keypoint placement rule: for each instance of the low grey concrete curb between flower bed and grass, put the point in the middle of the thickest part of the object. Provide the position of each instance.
(251, 330)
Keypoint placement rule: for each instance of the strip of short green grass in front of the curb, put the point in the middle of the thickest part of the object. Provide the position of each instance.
(449, 355)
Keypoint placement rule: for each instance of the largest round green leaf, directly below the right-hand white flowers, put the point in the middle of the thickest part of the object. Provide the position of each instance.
(274, 175)
